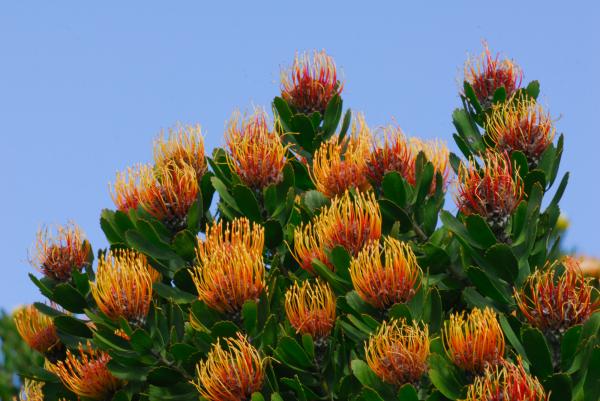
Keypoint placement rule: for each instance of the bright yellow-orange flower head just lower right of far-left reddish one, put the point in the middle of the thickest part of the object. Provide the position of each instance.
(123, 286)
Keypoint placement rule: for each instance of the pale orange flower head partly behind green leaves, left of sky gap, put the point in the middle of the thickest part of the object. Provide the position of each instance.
(437, 153)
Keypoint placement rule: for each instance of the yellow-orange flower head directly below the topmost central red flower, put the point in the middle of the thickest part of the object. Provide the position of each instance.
(339, 165)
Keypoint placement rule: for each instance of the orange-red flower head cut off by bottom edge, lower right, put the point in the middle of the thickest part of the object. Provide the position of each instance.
(506, 382)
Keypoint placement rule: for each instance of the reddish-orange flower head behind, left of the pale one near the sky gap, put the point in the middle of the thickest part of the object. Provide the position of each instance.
(394, 154)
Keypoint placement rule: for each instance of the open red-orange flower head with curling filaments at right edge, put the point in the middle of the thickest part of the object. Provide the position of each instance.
(555, 299)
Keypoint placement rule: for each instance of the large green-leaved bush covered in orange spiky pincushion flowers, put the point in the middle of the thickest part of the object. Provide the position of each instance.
(328, 268)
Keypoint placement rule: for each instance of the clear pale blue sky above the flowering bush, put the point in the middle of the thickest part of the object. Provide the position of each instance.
(84, 89)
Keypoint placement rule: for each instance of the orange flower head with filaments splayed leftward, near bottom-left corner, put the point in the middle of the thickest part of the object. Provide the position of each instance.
(87, 374)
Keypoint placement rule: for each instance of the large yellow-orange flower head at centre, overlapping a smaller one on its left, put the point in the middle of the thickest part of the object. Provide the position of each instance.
(351, 222)
